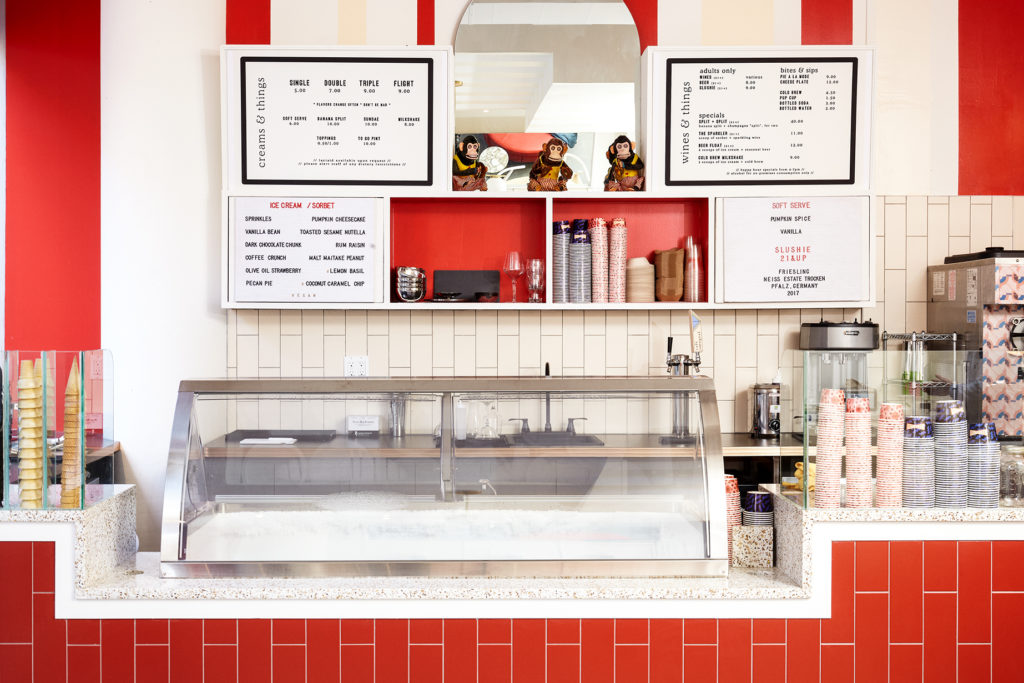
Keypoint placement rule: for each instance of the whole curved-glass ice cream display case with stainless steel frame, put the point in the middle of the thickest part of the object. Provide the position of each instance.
(617, 477)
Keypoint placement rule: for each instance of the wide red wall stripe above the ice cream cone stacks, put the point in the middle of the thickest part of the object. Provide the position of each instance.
(53, 255)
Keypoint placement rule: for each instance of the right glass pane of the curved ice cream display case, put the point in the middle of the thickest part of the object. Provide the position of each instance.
(581, 477)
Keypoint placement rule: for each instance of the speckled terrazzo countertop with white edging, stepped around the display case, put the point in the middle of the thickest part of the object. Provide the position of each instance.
(100, 575)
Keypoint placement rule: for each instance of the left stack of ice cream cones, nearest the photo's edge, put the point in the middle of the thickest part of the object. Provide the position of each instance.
(31, 433)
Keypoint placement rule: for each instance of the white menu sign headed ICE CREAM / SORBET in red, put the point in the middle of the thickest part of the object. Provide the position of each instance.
(301, 251)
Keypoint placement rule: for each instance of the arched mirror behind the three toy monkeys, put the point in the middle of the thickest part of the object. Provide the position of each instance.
(530, 71)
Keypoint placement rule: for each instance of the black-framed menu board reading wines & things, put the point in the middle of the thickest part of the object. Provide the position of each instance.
(749, 120)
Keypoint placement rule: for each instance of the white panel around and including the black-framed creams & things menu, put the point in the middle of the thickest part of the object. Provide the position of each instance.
(334, 118)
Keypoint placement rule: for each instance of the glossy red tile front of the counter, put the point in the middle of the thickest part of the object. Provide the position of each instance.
(903, 612)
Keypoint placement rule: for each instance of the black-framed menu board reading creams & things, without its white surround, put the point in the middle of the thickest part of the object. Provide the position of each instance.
(336, 120)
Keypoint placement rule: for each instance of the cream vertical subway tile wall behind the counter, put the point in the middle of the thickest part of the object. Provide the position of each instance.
(741, 347)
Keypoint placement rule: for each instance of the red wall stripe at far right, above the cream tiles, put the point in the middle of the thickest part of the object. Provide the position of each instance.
(992, 99)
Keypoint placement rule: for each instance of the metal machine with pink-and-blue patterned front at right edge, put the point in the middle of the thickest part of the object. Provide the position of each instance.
(980, 296)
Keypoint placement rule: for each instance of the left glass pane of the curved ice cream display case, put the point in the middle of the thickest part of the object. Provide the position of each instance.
(311, 478)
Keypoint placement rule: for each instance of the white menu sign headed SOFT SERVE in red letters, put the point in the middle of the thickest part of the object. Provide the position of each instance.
(794, 250)
